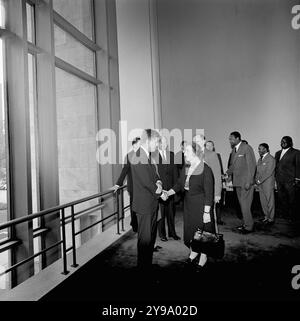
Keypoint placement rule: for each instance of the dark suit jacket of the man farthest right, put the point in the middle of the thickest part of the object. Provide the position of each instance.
(288, 168)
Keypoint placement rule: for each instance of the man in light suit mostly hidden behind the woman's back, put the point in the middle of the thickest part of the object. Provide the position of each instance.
(212, 160)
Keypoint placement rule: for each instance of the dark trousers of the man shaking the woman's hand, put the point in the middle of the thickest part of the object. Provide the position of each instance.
(147, 230)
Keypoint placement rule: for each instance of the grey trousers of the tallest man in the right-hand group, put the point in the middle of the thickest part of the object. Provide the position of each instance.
(245, 198)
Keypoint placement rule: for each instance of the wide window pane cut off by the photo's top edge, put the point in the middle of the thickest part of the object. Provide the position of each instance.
(78, 12)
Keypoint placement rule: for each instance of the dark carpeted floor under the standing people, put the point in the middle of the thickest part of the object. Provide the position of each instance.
(255, 267)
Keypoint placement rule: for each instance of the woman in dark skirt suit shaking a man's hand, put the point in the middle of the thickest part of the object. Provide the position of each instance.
(197, 183)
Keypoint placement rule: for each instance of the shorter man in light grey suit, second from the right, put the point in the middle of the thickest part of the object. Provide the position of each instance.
(265, 180)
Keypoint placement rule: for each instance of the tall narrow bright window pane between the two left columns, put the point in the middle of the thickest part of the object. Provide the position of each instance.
(33, 150)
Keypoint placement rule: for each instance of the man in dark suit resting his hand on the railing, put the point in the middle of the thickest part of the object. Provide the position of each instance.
(126, 172)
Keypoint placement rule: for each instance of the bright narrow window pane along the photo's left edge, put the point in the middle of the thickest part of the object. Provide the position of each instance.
(4, 259)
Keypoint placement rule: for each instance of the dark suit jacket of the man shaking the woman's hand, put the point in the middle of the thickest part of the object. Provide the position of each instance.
(144, 178)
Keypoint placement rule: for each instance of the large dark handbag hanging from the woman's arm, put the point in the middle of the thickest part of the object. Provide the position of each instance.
(212, 244)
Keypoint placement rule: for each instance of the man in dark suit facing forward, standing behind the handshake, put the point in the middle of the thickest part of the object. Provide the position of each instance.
(168, 174)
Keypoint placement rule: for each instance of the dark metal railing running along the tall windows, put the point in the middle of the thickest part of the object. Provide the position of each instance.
(118, 214)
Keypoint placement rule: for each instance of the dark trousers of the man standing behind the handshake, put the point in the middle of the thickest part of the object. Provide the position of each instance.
(167, 212)
